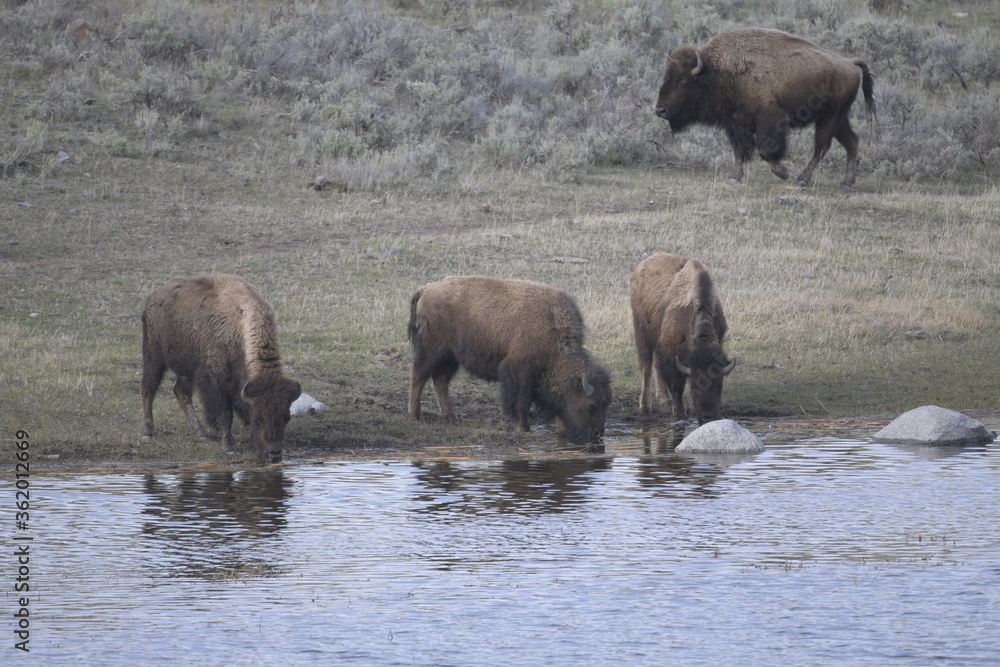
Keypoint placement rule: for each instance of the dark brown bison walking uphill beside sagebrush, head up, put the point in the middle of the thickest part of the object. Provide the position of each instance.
(756, 84)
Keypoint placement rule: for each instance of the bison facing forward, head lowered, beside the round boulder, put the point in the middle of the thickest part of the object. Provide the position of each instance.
(679, 328)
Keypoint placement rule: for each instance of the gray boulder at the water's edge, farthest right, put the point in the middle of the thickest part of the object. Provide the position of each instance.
(931, 425)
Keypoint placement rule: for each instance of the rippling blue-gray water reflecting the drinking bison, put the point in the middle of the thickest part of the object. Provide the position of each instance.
(818, 551)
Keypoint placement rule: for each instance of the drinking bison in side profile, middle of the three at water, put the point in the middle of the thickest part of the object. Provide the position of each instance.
(526, 335)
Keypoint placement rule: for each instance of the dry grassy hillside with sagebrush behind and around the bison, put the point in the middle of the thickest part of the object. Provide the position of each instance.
(841, 304)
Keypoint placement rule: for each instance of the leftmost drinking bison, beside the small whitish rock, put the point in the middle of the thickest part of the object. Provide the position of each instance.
(217, 333)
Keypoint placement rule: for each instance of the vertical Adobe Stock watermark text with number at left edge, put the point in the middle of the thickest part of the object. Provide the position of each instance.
(22, 541)
